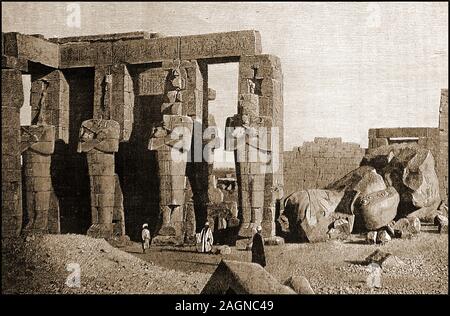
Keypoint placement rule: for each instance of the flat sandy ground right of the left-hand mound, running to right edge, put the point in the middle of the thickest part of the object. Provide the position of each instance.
(334, 267)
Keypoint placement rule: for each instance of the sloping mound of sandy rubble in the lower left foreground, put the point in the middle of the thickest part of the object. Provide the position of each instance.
(41, 264)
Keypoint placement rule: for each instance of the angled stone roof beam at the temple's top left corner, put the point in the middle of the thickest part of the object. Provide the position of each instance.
(31, 48)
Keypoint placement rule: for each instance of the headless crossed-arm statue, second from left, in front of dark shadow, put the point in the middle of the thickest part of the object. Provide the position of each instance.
(99, 139)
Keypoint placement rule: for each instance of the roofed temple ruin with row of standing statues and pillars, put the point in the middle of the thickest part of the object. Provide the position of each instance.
(120, 135)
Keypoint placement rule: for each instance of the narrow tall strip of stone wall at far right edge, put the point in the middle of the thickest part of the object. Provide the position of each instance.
(443, 145)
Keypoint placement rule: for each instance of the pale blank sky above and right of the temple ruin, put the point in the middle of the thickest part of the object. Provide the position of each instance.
(347, 67)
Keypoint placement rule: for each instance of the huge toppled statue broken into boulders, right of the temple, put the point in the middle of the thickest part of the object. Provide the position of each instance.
(392, 182)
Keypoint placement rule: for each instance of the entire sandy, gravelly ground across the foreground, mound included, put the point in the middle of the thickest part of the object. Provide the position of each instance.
(39, 265)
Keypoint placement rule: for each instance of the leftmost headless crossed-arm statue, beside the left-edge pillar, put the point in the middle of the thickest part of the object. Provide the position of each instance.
(37, 146)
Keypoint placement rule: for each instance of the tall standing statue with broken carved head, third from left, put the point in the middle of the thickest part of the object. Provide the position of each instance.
(172, 140)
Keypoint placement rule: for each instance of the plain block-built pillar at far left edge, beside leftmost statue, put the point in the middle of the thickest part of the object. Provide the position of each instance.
(12, 101)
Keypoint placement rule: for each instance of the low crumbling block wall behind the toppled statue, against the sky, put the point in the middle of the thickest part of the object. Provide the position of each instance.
(316, 164)
